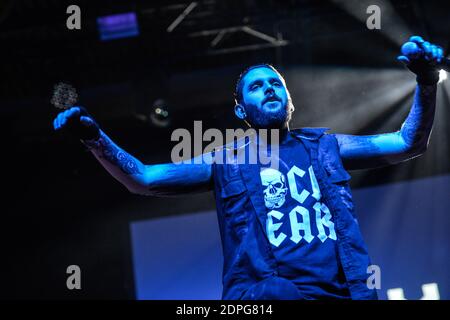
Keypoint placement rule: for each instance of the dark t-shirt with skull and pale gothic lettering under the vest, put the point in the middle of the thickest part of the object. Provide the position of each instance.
(300, 227)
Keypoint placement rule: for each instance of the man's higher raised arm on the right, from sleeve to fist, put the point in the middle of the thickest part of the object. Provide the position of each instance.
(361, 152)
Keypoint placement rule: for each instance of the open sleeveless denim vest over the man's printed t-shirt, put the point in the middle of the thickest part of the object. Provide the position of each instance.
(247, 252)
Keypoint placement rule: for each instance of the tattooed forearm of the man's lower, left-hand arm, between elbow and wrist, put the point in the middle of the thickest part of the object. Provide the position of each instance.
(109, 151)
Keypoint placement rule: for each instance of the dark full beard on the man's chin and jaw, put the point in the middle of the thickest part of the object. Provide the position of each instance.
(261, 119)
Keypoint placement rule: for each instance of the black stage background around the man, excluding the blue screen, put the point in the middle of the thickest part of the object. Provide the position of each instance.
(62, 208)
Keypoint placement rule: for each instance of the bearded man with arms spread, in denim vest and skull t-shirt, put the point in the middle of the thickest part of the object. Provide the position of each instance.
(288, 232)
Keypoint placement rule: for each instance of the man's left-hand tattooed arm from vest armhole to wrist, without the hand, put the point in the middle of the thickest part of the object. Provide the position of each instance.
(157, 180)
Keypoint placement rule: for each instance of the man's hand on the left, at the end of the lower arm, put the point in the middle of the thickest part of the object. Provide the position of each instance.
(78, 122)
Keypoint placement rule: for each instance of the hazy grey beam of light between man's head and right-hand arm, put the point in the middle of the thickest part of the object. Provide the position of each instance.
(363, 97)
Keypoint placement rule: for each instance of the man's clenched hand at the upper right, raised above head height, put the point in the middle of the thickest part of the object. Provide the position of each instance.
(422, 58)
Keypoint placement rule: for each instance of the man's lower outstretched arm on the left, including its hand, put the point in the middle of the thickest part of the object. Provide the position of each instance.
(157, 180)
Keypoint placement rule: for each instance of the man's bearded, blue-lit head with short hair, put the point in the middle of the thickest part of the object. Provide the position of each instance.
(265, 99)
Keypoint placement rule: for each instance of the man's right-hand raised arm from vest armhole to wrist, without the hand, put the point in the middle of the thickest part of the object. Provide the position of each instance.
(362, 152)
